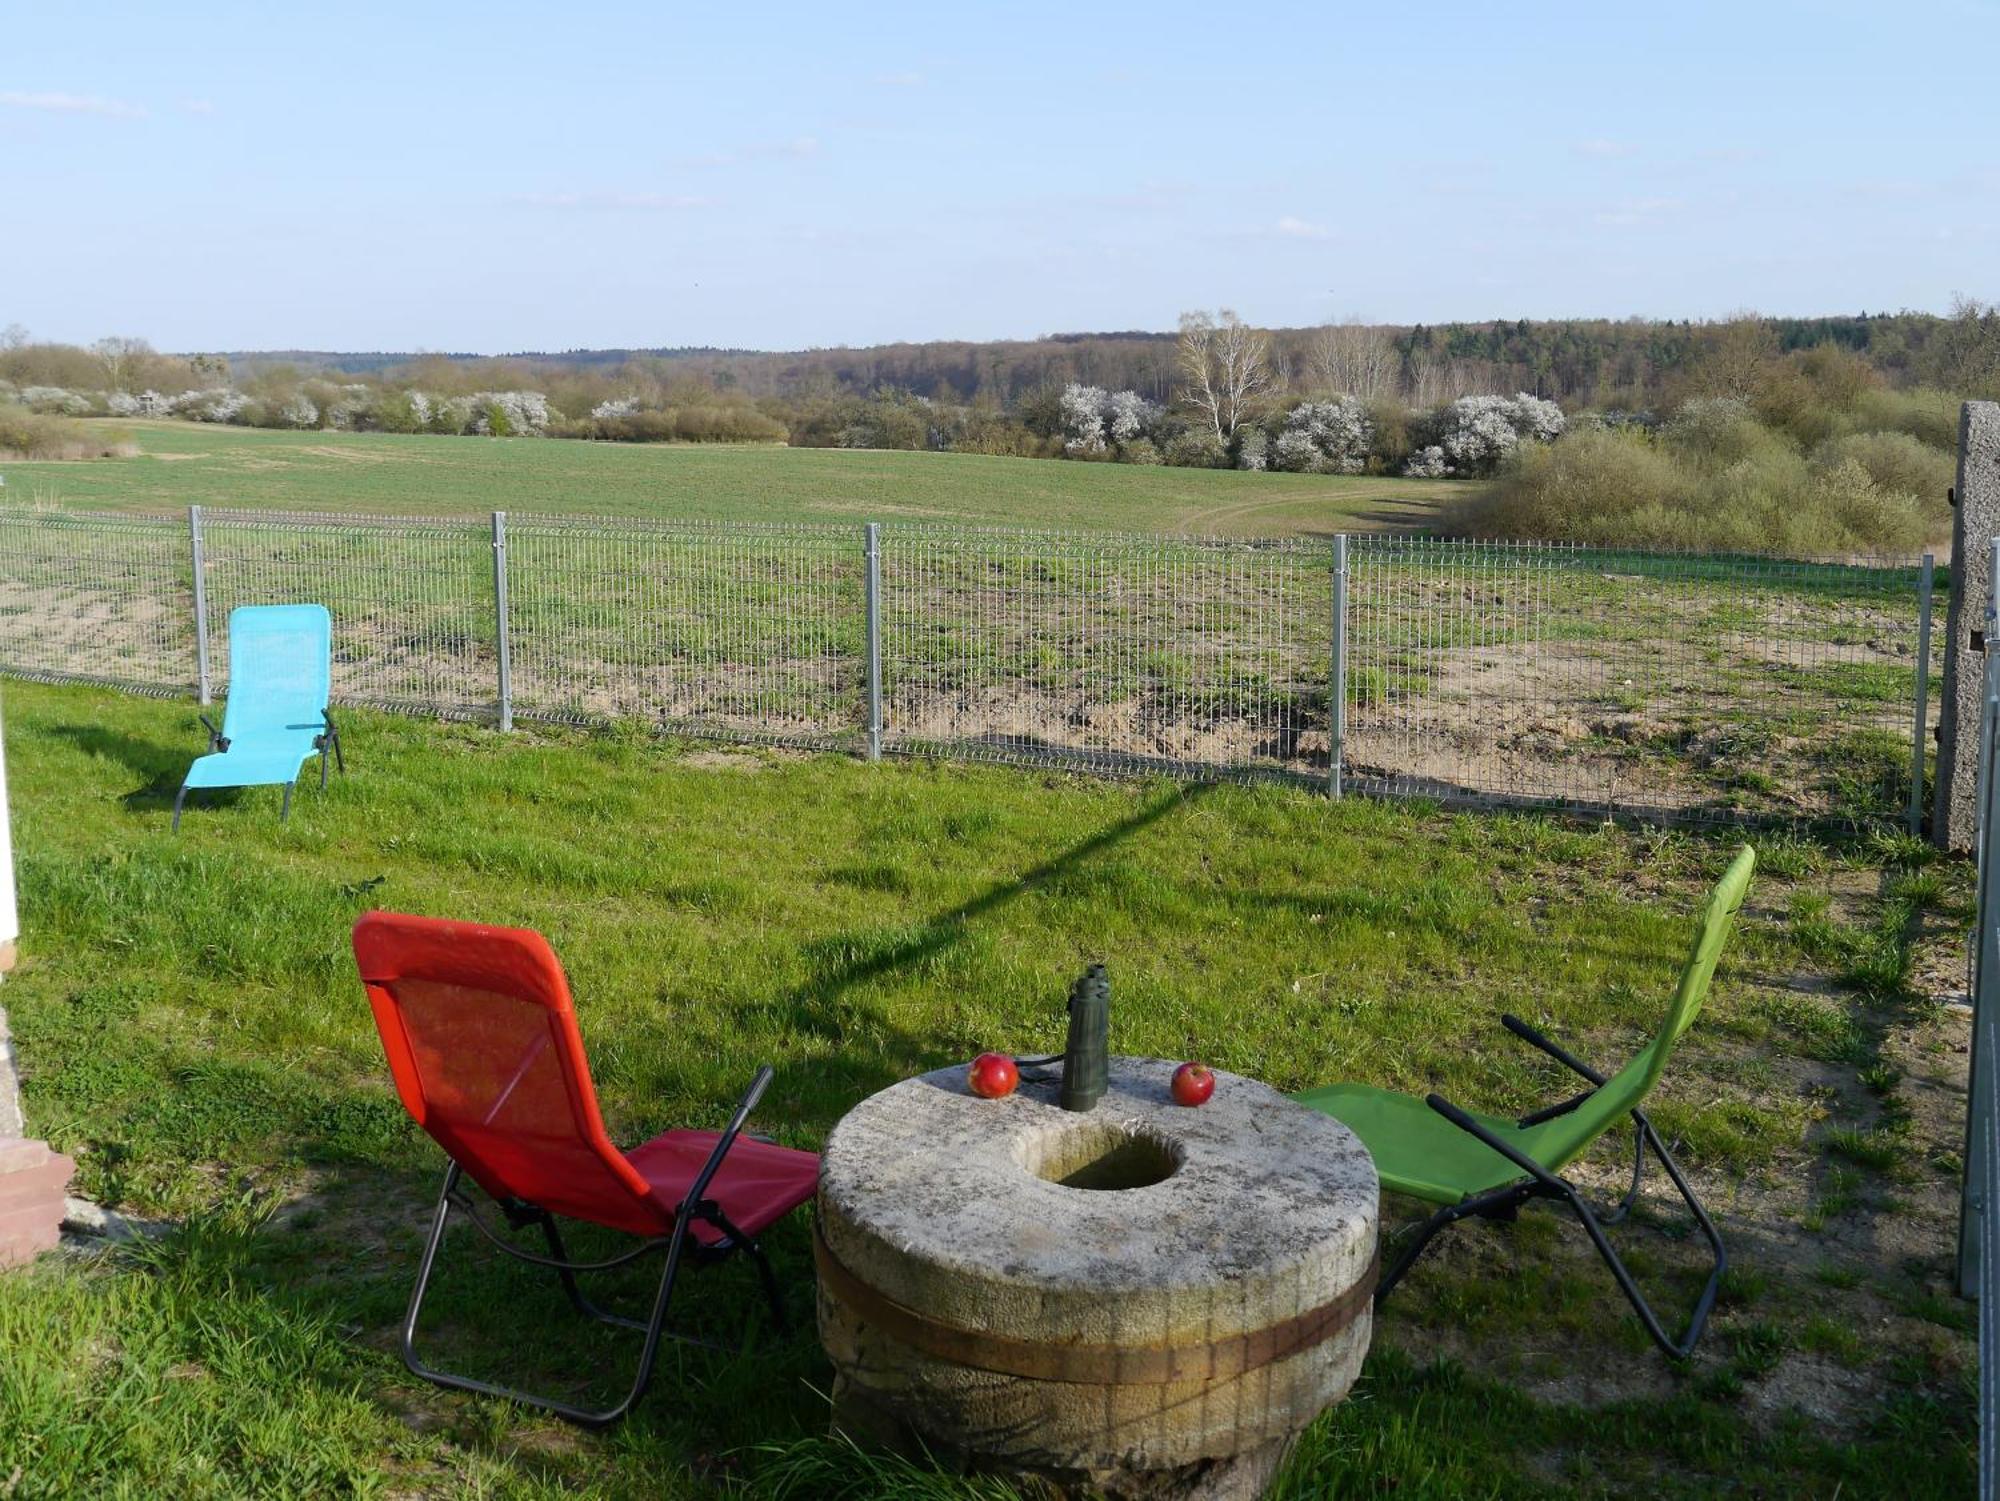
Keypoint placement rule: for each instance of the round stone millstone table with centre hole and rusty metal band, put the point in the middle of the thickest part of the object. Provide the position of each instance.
(1139, 1302)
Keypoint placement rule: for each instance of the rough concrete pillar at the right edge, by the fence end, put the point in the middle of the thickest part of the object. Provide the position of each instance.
(1975, 523)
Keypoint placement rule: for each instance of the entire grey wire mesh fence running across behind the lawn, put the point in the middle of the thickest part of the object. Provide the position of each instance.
(1661, 685)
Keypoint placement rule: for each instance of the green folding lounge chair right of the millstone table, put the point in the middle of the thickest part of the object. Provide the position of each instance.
(1481, 1166)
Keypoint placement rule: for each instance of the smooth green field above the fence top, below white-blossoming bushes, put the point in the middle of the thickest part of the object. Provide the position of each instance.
(187, 463)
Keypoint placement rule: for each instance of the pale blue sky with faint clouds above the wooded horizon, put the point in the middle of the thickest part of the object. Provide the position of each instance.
(509, 177)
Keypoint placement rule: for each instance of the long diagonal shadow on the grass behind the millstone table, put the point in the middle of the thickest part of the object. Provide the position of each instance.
(851, 960)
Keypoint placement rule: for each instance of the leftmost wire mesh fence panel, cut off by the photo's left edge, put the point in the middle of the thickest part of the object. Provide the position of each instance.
(97, 599)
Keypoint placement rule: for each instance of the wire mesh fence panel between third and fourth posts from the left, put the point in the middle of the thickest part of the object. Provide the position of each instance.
(1123, 653)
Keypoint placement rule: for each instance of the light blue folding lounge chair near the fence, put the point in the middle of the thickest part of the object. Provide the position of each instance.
(281, 673)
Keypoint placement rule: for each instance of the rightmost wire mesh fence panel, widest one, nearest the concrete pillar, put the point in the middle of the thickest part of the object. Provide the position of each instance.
(1679, 685)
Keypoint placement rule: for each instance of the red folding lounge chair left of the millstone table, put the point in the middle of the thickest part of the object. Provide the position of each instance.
(483, 1040)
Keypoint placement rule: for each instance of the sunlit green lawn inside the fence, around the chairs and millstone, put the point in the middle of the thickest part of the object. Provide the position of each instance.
(191, 1028)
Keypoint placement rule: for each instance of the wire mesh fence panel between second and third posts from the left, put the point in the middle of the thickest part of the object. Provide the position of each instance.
(735, 631)
